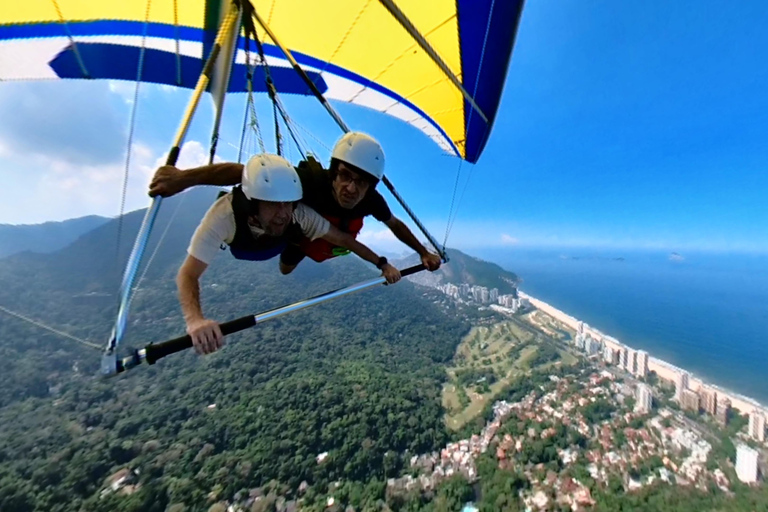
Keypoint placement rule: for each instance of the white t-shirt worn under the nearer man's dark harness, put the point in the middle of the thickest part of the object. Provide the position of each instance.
(218, 226)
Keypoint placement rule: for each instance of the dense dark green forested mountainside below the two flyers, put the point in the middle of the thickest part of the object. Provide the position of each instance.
(358, 378)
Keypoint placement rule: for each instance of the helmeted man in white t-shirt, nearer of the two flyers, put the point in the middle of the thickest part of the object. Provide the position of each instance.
(256, 220)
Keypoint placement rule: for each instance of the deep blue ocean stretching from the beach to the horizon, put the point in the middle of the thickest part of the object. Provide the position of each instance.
(705, 312)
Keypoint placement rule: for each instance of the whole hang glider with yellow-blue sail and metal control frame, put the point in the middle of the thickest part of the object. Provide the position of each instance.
(439, 66)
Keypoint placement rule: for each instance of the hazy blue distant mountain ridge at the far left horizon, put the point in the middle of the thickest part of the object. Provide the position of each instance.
(45, 237)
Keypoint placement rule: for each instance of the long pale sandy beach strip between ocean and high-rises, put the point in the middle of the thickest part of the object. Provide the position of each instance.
(665, 370)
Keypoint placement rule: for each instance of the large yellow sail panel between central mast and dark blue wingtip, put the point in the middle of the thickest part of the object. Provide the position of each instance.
(362, 37)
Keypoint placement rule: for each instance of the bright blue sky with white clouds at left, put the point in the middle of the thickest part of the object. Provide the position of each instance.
(622, 125)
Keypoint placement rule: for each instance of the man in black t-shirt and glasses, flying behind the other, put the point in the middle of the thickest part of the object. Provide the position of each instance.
(345, 194)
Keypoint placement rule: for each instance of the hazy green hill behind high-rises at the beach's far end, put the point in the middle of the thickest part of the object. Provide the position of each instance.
(463, 268)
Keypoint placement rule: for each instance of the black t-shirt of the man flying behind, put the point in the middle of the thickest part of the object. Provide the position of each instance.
(318, 195)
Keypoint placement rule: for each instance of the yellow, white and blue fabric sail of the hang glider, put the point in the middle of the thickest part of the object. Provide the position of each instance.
(355, 51)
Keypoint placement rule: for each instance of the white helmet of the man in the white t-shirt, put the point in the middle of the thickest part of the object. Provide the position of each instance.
(271, 178)
